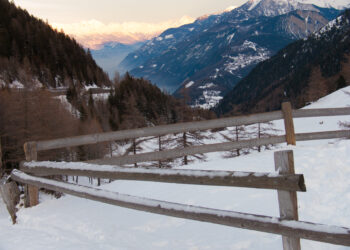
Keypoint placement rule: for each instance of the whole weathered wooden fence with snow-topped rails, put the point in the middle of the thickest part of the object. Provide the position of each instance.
(286, 182)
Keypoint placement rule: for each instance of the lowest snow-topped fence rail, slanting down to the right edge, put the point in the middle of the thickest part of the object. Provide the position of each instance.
(305, 230)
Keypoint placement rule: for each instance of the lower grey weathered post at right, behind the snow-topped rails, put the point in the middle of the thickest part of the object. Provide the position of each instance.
(288, 203)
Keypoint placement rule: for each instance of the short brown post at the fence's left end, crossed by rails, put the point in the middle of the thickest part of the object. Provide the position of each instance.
(31, 192)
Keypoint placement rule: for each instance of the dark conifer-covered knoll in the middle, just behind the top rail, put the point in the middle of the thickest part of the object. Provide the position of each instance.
(134, 103)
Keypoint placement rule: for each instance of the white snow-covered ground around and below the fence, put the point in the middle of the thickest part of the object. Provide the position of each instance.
(75, 223)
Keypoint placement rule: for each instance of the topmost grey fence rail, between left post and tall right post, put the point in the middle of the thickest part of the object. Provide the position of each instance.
(157, 131)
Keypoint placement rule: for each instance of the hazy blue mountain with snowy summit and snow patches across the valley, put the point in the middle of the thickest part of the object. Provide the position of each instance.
(204, 60)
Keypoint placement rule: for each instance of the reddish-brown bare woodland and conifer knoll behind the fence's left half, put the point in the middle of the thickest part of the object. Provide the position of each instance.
(30, 115)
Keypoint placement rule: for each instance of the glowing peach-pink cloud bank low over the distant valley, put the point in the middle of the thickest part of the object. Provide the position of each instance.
(92, 33)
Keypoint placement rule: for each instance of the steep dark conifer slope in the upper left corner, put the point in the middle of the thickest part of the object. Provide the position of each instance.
(33, 53)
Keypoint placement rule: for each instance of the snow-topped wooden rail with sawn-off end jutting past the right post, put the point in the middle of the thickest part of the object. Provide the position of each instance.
(290, 182)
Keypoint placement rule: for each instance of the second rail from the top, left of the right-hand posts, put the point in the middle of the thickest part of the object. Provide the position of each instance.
(177, 153)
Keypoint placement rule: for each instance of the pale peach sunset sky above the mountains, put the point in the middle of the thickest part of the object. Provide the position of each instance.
(95, 22)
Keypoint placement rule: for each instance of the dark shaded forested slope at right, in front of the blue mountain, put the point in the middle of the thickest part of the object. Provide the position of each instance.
(302, 72)
